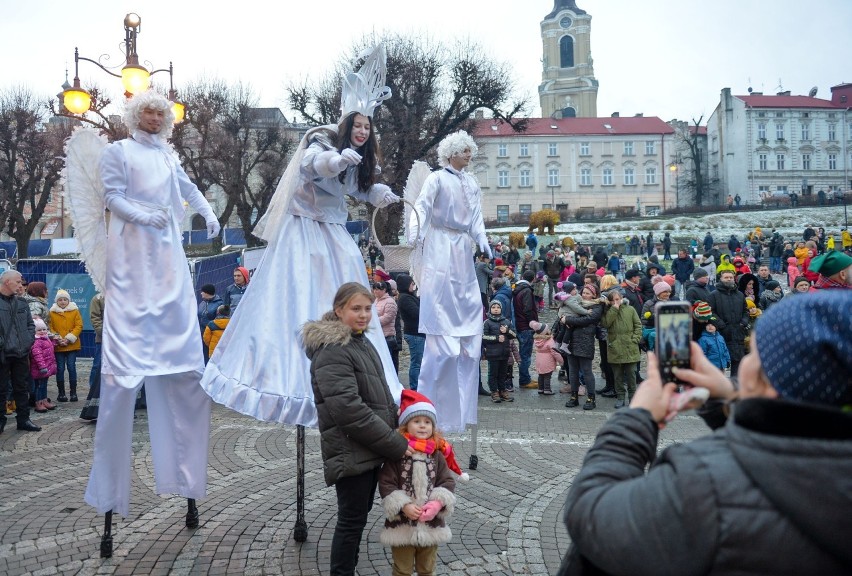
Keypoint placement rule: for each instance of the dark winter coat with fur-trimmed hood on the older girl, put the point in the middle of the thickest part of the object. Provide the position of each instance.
(355, 409)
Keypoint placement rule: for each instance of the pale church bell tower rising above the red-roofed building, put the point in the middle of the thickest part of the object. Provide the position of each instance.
(568, 86)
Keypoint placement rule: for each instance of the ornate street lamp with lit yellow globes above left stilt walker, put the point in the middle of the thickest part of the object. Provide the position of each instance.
(134, 77)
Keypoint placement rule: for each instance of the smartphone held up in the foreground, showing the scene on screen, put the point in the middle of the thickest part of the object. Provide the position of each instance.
(673, 324)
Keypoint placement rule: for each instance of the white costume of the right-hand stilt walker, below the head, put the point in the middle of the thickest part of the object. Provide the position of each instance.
(450, 212)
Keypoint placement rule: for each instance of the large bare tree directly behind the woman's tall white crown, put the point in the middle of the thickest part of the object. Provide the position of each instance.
(436, 90)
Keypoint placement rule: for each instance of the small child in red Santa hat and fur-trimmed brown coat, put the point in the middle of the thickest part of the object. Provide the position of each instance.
(417, 491)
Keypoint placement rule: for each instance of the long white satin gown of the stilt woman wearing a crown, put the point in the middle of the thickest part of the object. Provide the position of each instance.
(259, 367)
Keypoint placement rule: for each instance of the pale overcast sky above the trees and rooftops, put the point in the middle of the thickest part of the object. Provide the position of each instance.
(666, 58)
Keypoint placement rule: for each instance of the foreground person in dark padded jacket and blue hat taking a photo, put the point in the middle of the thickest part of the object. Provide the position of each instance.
(723, 503)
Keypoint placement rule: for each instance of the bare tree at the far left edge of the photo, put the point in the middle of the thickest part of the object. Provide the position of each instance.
(31, 160)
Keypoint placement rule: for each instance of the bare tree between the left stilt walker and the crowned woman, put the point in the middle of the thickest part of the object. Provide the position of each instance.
(227, 142)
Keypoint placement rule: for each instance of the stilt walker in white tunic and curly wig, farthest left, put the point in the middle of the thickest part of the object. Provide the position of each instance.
(150, 332)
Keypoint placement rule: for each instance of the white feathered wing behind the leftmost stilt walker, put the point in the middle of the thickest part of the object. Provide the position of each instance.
(84, 190)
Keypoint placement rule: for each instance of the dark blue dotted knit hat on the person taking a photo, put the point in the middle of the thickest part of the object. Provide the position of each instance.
(805, 347)
